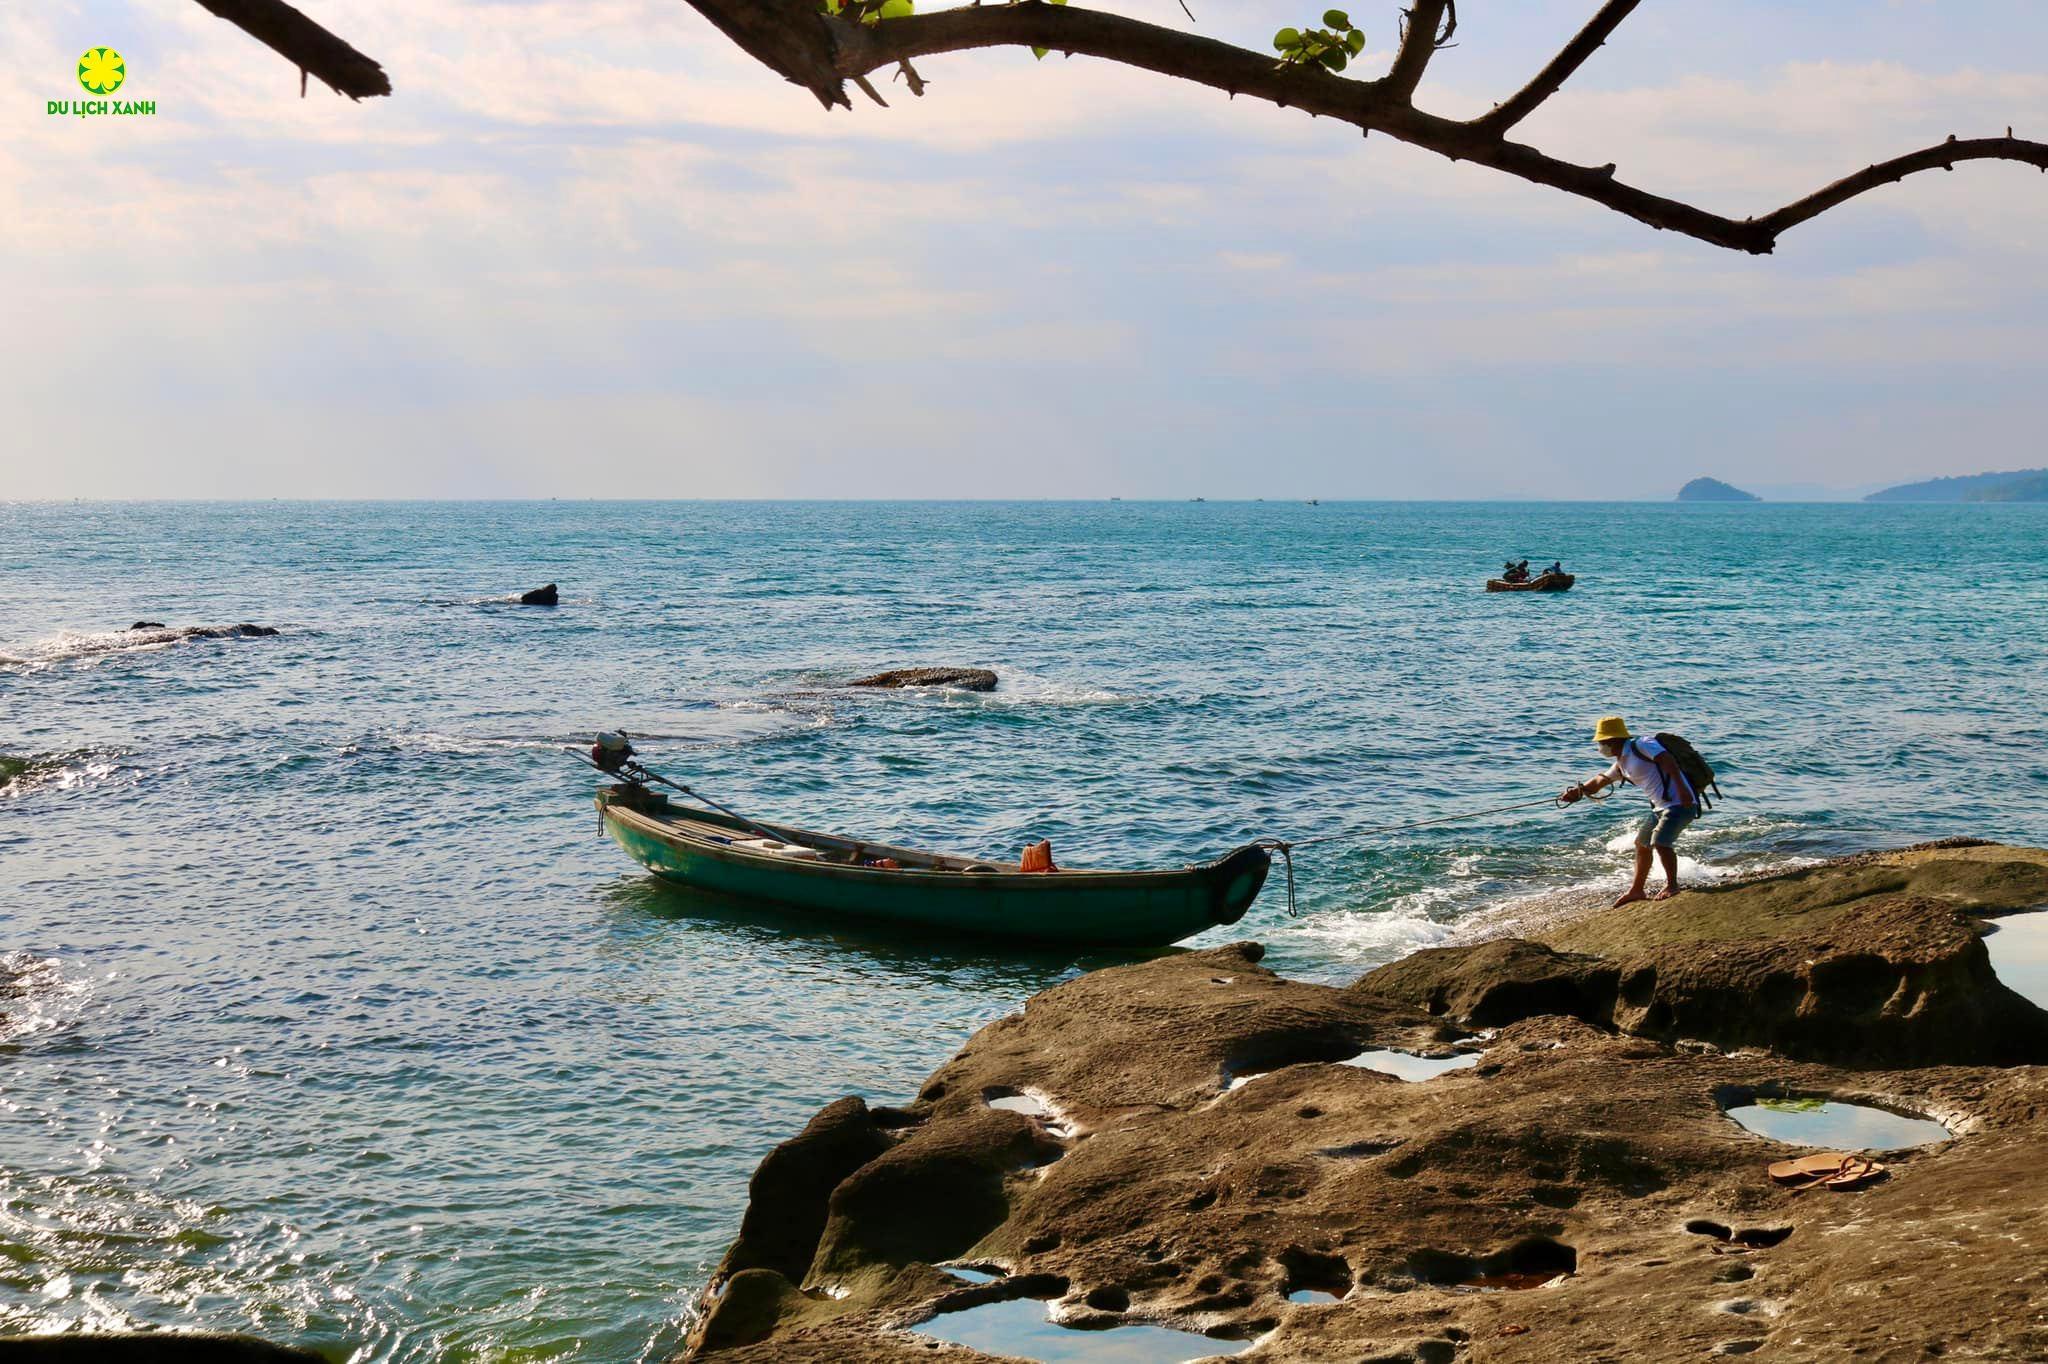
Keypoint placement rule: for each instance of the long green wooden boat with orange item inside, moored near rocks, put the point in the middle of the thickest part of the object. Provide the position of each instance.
(820, 873)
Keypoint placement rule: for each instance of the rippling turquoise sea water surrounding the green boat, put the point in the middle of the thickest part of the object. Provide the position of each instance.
(341, 1023)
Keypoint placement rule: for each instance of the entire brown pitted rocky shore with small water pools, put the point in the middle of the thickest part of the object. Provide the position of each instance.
(1197, 1144)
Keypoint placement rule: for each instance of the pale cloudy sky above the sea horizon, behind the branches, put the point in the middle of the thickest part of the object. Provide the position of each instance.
(591, 249)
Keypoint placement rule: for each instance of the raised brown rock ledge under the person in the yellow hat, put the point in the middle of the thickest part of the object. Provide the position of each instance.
(1869, 962)
